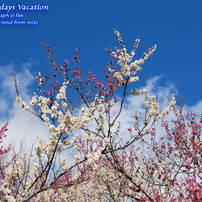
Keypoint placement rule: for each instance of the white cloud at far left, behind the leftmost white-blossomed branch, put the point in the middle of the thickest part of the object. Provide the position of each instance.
(22, 124)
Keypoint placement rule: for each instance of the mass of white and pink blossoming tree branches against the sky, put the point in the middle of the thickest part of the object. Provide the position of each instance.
(86, 157)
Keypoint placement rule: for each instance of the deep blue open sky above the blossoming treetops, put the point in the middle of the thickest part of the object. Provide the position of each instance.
(175, 26)
